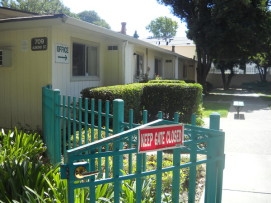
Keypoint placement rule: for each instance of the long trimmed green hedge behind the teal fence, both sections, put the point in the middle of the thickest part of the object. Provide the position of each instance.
(170, 96)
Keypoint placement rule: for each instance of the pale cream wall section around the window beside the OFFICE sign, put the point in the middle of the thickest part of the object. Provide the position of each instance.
(62, 72)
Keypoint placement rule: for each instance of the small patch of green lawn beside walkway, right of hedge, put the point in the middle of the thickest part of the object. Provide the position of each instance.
(221, 108)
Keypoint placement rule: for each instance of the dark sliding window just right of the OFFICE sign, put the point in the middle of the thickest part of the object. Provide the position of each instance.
(84, 60)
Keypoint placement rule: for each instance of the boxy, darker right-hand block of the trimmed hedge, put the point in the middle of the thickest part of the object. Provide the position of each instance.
(170, 98)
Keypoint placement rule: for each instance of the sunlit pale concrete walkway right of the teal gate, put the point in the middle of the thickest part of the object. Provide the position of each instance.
(247, 173)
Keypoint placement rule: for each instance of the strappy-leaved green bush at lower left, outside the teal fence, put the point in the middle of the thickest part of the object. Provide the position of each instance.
(25, 177)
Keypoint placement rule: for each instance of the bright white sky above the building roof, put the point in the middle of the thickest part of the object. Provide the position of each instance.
(136, 13)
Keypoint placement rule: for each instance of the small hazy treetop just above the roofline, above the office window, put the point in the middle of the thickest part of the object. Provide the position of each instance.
(92, 17)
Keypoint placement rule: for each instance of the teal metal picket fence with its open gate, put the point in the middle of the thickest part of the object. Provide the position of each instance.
(103, 165)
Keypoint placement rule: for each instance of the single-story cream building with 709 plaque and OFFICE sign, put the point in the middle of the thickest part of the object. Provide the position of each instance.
(70, 55)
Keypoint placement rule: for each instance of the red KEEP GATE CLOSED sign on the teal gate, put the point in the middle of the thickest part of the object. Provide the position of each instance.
(160, 137)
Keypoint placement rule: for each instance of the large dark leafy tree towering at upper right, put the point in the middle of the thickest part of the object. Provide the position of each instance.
(225, 31)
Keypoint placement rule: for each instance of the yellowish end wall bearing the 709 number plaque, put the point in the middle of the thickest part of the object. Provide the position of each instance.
(21, 83)
